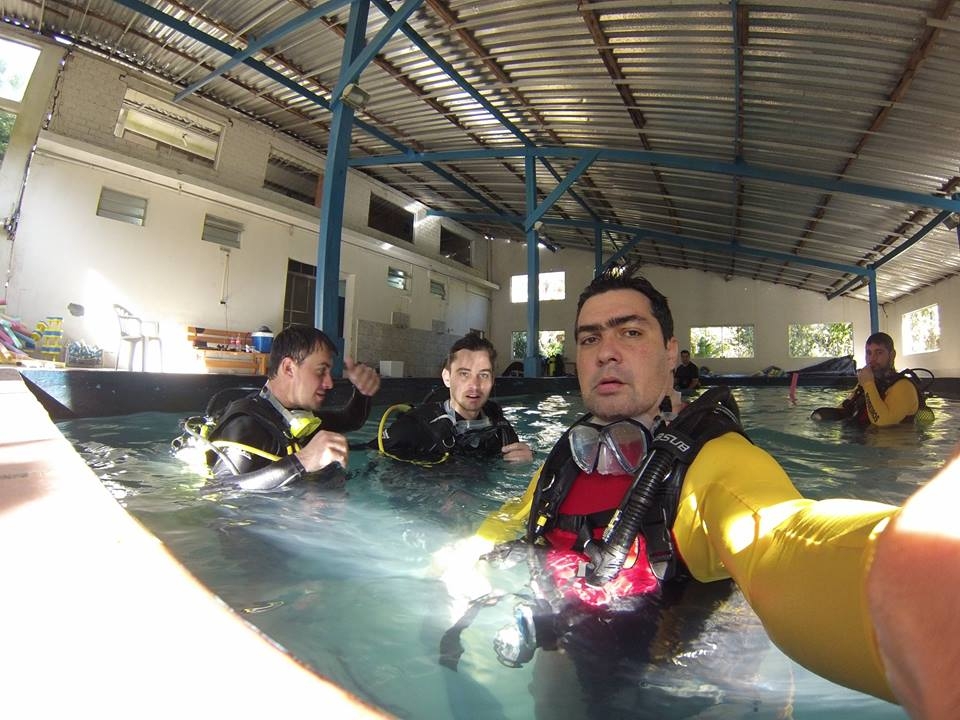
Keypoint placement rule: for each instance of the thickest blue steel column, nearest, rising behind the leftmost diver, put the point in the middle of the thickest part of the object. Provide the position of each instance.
(334, 189)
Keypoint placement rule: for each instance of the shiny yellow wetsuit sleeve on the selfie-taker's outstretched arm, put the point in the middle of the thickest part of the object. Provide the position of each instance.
(801, 564)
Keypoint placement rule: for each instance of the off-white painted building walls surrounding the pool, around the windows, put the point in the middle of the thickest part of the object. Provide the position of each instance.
(64, 253)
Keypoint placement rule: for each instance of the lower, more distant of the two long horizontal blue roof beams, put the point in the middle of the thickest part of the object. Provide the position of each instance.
(666, 238)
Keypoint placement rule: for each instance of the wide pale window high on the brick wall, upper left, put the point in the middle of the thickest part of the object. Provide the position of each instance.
(168, 128)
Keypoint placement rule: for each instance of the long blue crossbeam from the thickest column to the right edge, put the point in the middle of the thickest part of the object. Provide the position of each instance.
(682, 162)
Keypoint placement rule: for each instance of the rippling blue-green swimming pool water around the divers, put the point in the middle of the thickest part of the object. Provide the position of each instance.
(346, 577)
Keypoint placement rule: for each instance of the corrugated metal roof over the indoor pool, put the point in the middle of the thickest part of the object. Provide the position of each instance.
(774, 126)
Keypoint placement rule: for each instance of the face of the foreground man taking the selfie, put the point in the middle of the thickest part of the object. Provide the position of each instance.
(623, 362)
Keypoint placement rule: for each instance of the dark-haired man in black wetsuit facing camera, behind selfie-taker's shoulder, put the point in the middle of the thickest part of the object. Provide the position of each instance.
(468, 423)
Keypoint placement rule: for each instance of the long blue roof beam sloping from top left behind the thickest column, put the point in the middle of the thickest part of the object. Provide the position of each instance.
(197, 34)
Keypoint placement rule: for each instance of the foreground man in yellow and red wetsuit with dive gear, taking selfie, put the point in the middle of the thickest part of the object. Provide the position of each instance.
(627, 505)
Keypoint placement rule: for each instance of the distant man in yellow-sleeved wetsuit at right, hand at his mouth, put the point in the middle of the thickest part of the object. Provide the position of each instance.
(882, 396)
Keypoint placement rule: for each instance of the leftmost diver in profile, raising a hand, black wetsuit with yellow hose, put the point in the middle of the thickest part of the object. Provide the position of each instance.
(273, 437)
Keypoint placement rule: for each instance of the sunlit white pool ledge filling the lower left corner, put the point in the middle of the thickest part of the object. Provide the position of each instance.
(98, 618)
